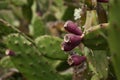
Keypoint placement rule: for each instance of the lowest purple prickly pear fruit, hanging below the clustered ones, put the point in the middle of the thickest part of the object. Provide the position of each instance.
(75, 60)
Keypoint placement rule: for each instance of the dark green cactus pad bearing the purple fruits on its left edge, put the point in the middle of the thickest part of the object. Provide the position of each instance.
(96, 40)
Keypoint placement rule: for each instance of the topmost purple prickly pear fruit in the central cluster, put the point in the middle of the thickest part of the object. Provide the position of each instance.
(71, 27)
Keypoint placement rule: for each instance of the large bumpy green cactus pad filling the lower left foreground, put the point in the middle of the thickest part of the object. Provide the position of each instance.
(31, 64)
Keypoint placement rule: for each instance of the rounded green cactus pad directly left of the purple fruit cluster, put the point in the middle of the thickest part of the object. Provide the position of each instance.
(49, 46)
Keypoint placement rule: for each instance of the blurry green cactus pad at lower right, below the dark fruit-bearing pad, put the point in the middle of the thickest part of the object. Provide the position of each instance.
(98, 60)
